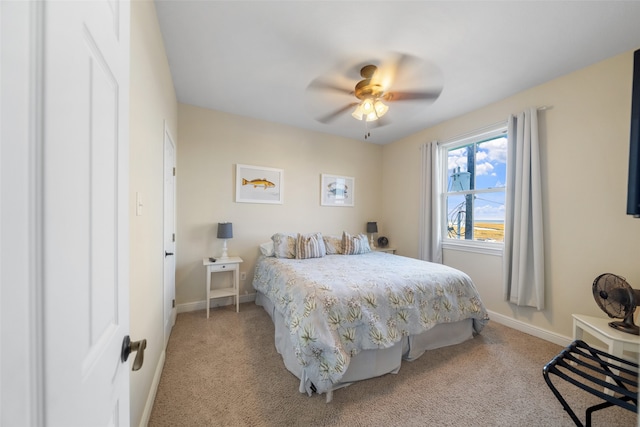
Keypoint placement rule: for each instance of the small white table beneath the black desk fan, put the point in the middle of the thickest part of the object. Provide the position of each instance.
(617, 341)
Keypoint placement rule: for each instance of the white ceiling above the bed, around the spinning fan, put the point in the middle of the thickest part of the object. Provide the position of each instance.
(257, 58)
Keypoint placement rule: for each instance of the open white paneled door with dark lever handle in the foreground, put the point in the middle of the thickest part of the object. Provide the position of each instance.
(85, 251)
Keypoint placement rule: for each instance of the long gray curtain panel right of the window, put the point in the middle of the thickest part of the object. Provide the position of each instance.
(523, 258)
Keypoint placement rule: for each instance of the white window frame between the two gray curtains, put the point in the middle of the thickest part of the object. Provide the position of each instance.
(484, 247)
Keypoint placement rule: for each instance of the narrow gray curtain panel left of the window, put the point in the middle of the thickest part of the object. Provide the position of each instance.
(430, 234)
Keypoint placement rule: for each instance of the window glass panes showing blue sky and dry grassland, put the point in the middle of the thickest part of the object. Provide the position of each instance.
(476, 176)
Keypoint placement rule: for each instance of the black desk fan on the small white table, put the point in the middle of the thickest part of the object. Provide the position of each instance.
(616, 298)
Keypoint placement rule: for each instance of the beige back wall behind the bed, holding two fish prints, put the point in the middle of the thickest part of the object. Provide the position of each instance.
(212, 143)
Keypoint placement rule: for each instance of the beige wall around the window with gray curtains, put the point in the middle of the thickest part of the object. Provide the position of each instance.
(584, 149)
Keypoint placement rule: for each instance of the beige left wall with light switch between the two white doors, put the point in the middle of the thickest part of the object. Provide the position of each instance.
(152, 102)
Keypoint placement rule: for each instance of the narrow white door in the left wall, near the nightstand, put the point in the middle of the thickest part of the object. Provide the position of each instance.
(169, 235)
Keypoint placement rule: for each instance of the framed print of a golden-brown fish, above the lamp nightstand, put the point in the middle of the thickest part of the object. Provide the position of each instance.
(259, 184)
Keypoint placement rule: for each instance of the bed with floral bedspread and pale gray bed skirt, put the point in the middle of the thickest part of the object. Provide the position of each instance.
(343, 318)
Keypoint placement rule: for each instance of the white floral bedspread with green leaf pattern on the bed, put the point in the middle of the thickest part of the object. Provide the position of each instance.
(338, 305)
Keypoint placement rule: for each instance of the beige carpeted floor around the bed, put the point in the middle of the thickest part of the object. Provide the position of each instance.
(225, 371)
